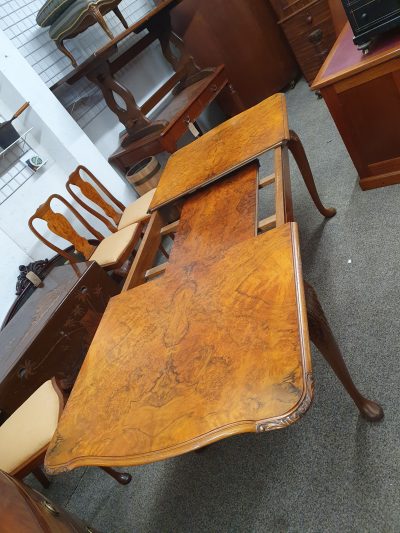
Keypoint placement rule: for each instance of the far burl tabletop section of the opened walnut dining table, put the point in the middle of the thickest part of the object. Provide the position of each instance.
(238, 140)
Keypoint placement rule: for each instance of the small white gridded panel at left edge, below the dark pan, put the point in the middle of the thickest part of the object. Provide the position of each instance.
(14, 169)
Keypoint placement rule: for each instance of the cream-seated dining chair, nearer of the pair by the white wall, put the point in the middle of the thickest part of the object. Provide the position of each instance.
(110, 252)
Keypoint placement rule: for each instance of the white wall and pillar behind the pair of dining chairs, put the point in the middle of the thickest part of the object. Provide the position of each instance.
(57, 135)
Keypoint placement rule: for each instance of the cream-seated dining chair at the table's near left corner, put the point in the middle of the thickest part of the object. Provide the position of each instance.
(26, 434)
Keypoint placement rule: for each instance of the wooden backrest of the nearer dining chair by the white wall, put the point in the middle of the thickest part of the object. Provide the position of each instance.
(61, 226)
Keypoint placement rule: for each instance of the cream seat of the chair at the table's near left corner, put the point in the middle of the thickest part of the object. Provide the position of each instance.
(26, 435)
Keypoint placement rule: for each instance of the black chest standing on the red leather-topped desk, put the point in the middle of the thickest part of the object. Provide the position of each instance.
(371, 17)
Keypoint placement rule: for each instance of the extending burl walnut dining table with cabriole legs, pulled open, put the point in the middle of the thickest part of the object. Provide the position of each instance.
(219, 344)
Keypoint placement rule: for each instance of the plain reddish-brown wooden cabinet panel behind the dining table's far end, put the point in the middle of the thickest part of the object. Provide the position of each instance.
(245, 37)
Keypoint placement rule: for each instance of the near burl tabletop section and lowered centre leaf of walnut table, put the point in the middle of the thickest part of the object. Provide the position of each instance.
(217, 346)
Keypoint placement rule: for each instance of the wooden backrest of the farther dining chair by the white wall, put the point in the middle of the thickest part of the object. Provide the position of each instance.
(88, 190)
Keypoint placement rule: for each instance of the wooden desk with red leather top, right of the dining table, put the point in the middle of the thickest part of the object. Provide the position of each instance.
(362, 93)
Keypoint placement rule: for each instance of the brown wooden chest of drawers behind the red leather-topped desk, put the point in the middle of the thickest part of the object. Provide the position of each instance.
(309, 29)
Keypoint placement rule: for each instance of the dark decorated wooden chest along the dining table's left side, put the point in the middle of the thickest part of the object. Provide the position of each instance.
(49, 336)
